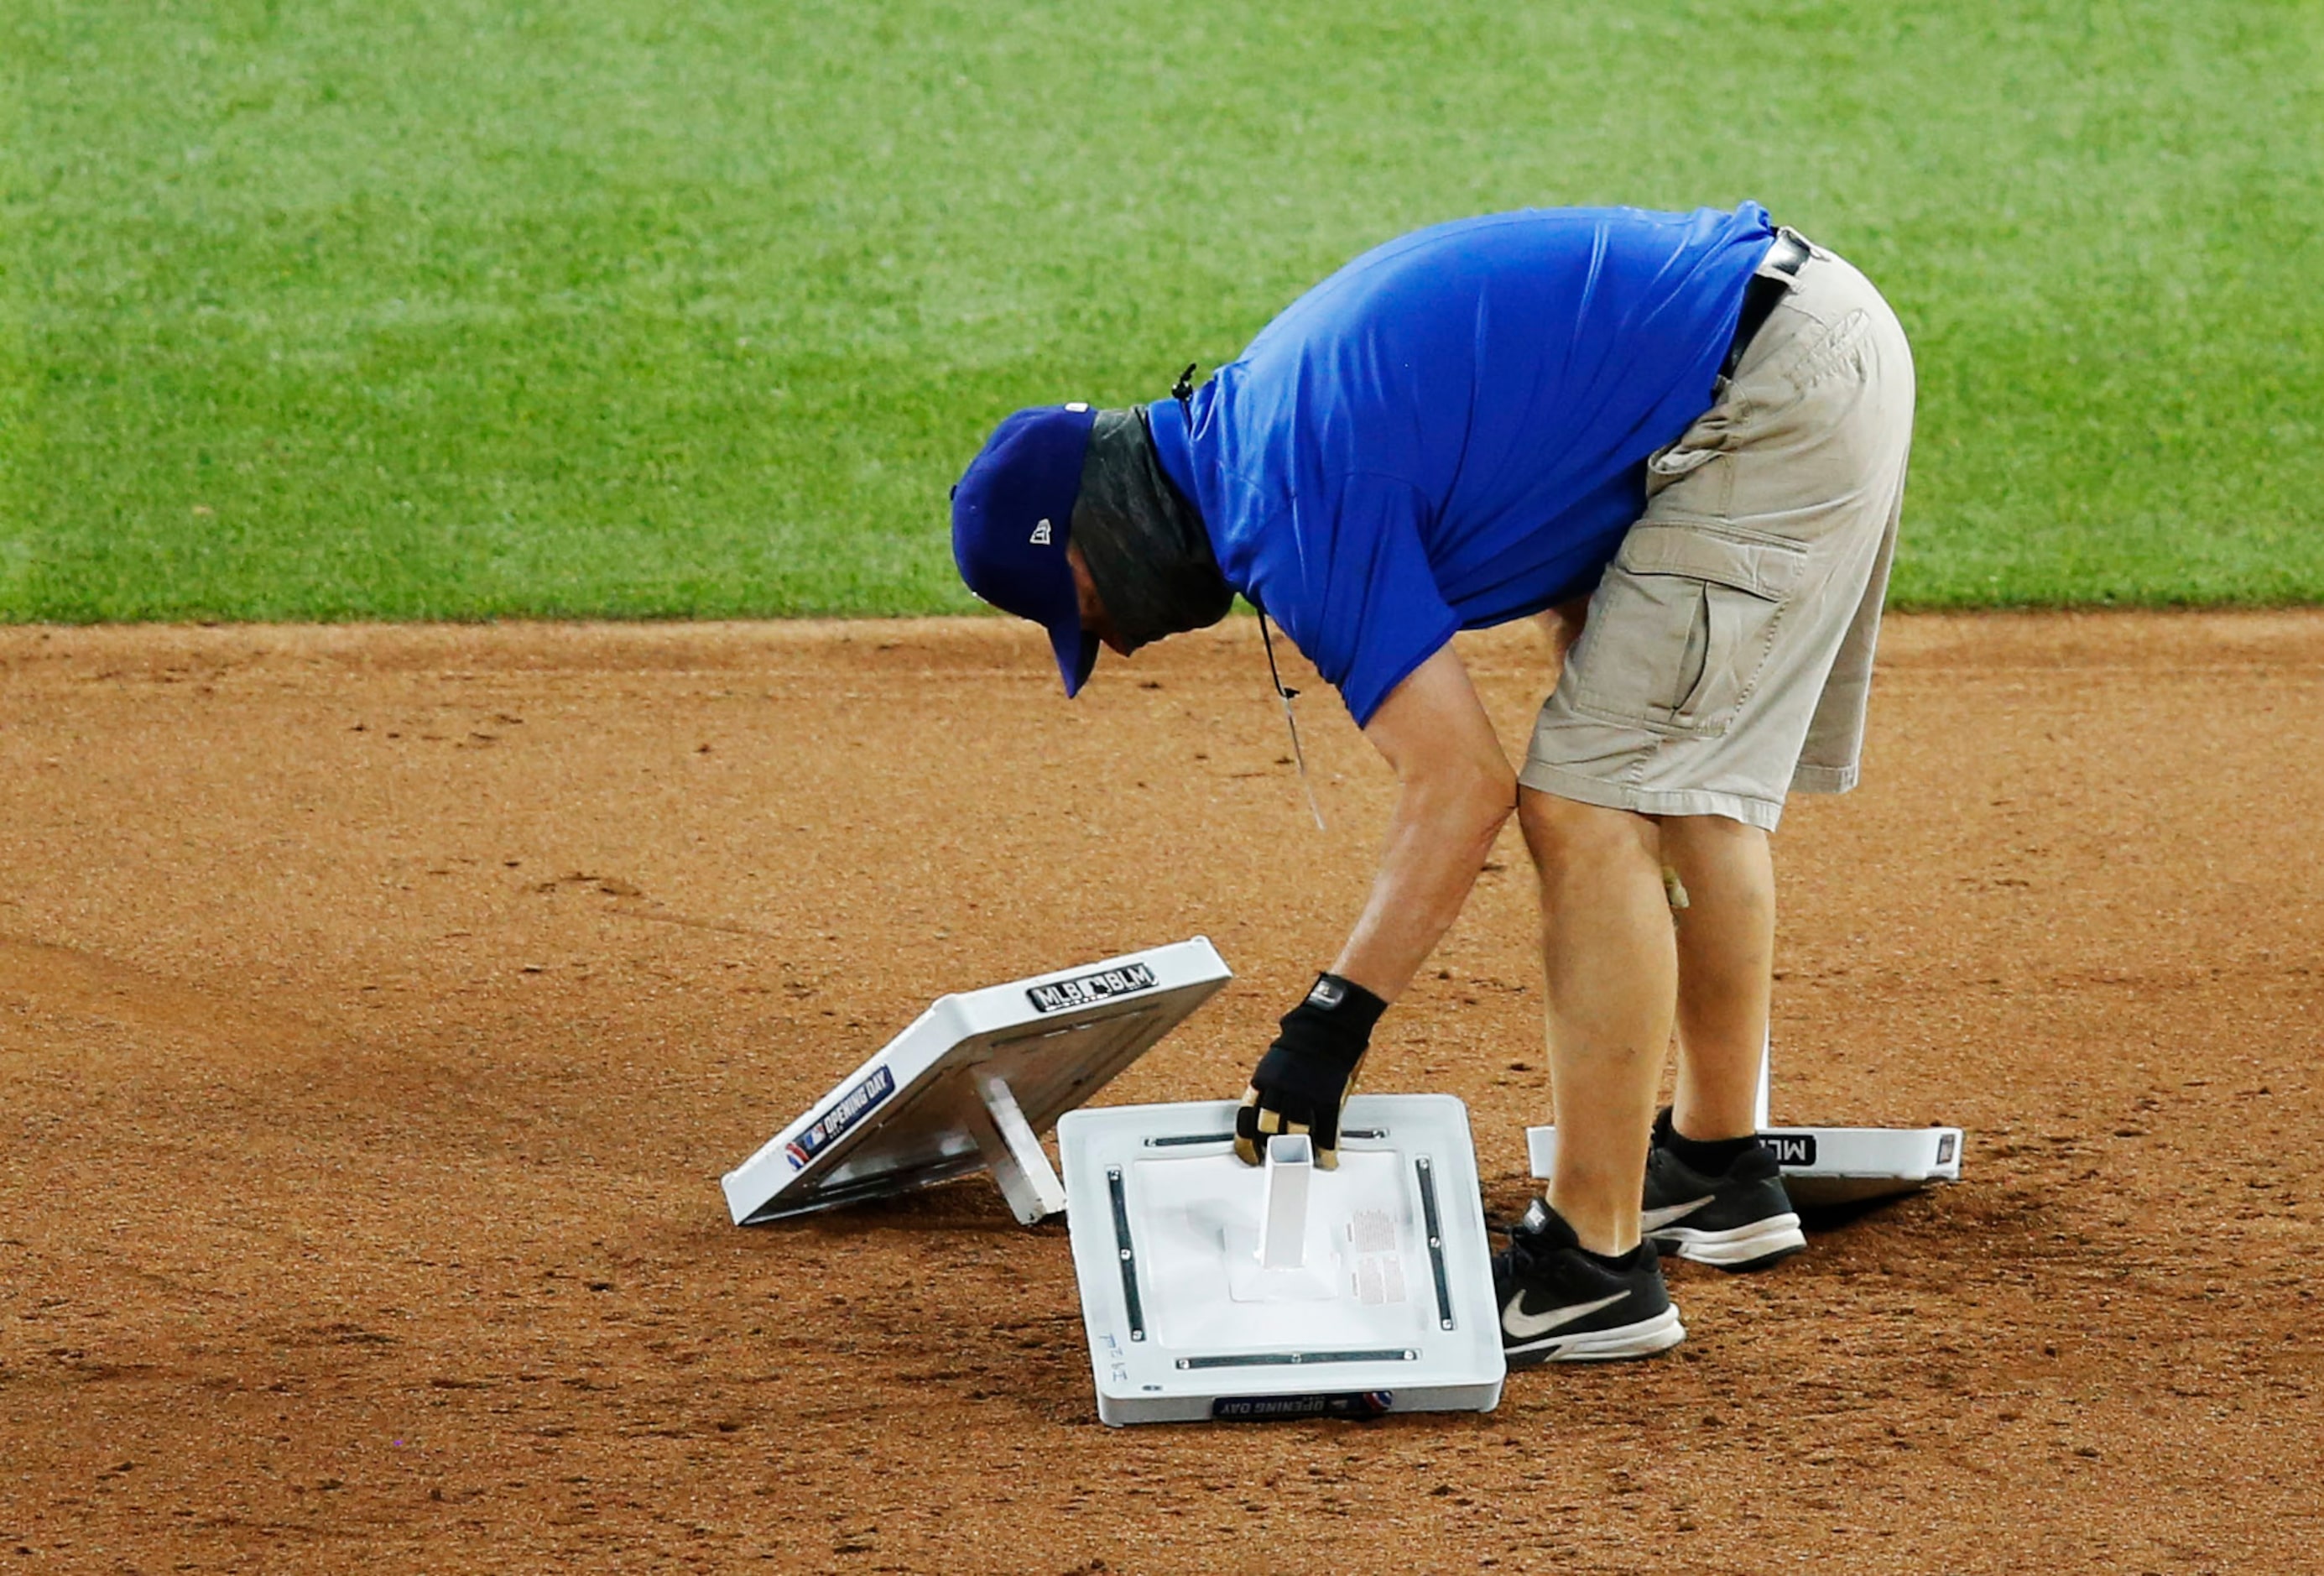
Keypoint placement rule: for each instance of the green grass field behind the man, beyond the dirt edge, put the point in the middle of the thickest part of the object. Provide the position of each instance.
(473, 308)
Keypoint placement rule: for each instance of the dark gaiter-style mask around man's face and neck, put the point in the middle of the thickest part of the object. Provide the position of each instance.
(1145, 543)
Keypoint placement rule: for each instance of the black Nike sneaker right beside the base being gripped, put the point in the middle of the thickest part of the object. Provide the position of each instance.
(1568, 1305)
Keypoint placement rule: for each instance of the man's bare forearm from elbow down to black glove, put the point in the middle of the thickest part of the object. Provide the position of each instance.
(1437, 843)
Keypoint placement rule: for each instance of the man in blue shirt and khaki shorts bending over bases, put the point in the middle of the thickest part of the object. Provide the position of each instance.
(1681, 440)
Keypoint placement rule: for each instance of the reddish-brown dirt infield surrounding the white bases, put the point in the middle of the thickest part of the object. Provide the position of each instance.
(380, 1008)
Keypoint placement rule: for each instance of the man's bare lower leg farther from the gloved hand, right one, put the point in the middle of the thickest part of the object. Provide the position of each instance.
(1726, 968)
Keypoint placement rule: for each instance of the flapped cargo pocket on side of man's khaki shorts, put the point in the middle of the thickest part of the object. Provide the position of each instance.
(1684, 626)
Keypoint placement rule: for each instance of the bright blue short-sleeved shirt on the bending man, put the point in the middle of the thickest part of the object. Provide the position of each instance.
(1451, 431)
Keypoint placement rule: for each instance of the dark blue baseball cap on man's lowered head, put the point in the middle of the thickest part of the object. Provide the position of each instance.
(1010, 526)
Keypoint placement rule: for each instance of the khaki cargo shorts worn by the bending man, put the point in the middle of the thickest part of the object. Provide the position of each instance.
(1730, 647)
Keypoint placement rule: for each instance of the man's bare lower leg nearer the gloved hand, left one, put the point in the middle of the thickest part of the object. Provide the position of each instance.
(1612, 968)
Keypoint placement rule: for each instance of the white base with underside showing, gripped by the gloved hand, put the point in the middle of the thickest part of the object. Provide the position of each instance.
(1379, 1298)
